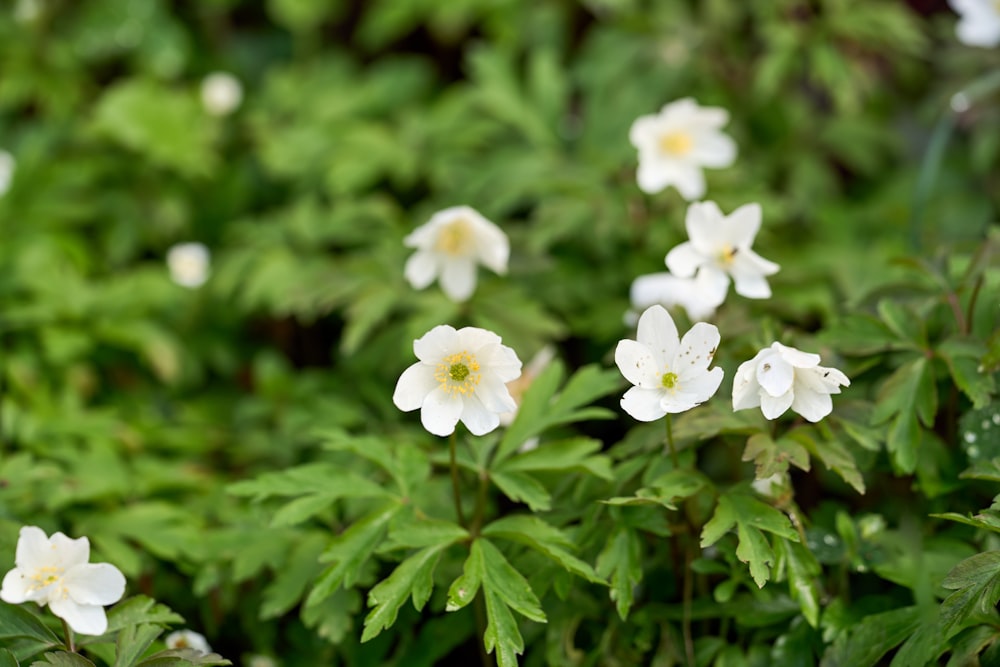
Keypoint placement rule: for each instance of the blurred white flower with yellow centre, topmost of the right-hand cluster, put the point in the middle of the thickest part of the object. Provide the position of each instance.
(676, 143)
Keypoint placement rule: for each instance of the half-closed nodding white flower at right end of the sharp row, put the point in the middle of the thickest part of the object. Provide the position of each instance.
(781, 377)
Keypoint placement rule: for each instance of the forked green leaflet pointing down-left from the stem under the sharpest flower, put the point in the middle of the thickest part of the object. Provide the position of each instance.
(412, 578)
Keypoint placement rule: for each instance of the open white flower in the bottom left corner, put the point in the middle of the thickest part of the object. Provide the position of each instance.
(54, 571)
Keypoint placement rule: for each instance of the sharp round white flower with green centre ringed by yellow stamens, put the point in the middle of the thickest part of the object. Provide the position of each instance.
(461, 375)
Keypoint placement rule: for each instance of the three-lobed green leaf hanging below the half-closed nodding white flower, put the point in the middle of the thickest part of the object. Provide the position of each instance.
(751, 517)
